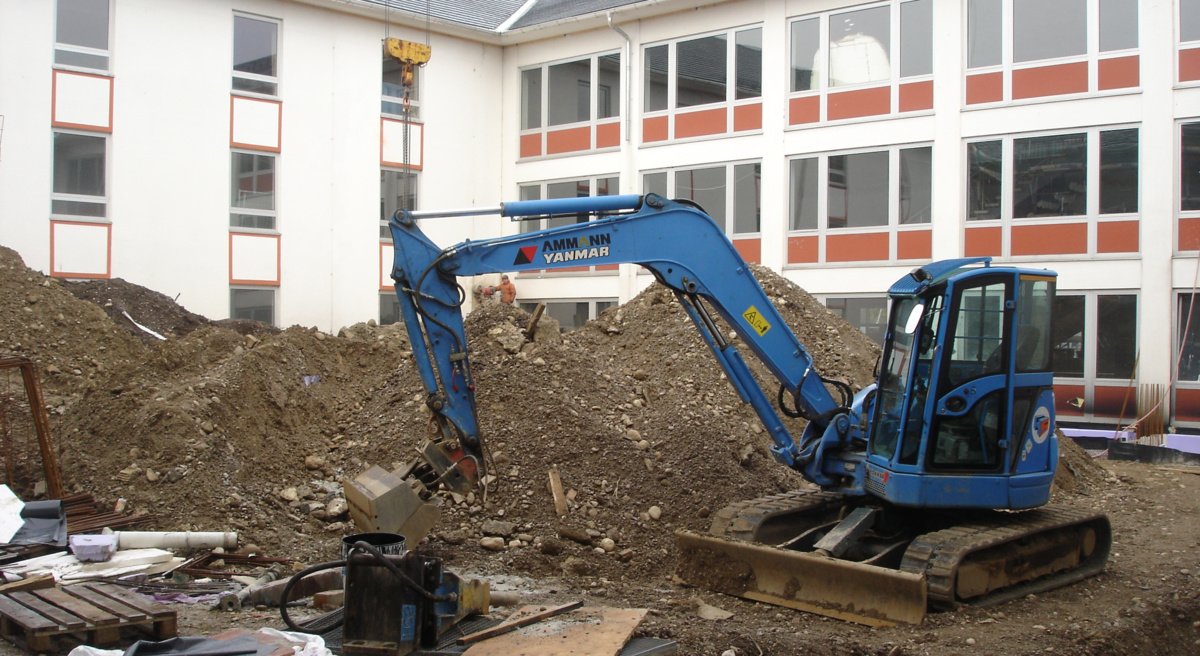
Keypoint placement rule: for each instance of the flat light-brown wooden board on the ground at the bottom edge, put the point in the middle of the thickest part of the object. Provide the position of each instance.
(584, 633)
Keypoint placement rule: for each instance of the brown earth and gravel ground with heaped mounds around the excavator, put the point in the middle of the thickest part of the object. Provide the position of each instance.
(238, 426)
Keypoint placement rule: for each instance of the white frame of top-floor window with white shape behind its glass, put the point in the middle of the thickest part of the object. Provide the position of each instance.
(821, 87)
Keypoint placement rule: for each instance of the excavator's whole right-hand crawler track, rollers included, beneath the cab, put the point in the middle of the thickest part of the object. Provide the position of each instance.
(1010, 556)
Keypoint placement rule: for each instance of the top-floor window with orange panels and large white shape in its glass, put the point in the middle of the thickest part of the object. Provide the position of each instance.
(886, 45)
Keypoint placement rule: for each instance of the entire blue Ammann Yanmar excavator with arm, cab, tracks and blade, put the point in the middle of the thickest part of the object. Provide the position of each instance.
(932, 485)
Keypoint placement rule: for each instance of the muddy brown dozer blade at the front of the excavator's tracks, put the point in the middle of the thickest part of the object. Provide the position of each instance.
(839, 589)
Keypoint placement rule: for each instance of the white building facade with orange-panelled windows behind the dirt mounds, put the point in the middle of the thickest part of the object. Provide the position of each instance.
(235, 163)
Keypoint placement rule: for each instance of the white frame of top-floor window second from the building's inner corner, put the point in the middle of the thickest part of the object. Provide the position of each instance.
(731, 79)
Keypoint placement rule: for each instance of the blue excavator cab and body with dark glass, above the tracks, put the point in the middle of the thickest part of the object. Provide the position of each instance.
(964, 412)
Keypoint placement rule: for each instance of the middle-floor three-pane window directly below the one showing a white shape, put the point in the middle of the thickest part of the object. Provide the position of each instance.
(878, 192)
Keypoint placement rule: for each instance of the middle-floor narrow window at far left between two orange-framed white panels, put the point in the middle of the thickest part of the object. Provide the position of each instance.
(80, 176)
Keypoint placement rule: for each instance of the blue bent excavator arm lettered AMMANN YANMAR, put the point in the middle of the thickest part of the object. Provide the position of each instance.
(686, 251)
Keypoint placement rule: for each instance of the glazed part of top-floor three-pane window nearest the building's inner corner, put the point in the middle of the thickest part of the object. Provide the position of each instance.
(578, 92)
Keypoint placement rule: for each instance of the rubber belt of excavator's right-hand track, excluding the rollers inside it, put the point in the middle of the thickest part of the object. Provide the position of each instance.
(939, 555)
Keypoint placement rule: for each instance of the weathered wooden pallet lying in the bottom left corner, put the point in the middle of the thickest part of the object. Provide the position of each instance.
(95, 612)
